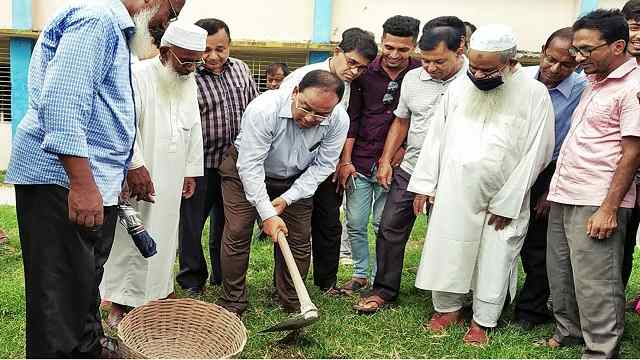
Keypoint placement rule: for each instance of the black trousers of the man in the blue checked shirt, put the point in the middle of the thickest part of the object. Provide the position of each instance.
(63, 267)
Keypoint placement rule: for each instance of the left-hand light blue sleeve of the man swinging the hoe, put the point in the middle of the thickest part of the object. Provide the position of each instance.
(253, 149)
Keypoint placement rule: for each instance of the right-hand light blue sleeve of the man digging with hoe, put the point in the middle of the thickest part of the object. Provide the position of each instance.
(325, 161)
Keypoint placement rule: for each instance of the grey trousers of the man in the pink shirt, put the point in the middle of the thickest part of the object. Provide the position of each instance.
(585, 280)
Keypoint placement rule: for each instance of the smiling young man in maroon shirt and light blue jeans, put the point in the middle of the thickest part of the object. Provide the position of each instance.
(374, 96)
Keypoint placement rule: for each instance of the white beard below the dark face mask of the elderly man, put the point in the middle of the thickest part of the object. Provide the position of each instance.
(481, 104)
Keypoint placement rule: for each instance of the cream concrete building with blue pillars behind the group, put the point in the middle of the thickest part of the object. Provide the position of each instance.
(292, 31)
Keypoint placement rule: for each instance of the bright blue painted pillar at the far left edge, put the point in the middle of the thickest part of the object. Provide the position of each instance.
(20, 56)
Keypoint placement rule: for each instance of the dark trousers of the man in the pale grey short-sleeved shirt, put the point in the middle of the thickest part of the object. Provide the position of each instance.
(395, 227)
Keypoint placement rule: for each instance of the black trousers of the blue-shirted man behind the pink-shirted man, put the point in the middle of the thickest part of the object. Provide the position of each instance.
(531, 303)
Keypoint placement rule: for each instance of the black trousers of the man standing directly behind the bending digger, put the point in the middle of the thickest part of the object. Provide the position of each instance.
(326, 231)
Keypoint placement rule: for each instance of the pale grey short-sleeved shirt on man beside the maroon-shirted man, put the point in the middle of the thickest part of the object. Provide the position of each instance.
(419, 95)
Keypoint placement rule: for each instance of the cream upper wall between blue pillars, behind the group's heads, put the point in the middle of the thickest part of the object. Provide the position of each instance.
(292, 20)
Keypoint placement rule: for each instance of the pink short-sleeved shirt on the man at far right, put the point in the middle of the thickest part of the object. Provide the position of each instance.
(608, 111)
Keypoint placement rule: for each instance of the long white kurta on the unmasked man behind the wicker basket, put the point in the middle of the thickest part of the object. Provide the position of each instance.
(169, 144)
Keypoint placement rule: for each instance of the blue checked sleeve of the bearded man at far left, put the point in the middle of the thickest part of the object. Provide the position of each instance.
(84, 54)
